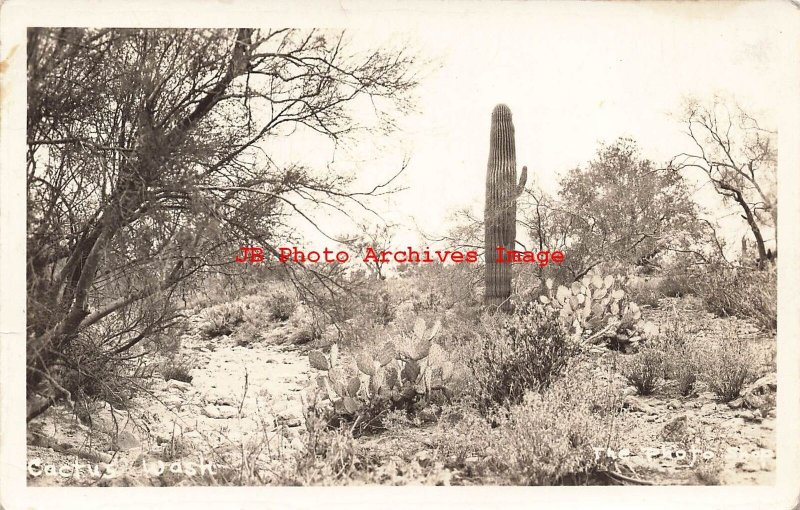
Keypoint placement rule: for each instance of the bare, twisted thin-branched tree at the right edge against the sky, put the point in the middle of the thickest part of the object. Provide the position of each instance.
(739, 158)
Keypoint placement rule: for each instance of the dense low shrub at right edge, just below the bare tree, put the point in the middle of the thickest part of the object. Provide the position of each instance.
(741, 292)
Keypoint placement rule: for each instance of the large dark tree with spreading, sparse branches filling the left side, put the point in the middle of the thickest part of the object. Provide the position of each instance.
(149, 163)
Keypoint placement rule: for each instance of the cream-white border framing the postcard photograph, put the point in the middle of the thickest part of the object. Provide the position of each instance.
(16, 15)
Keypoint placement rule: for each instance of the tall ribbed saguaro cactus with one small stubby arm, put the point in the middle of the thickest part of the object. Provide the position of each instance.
(500, 212)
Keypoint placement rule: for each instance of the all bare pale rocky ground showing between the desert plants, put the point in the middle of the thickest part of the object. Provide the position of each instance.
(242, 400)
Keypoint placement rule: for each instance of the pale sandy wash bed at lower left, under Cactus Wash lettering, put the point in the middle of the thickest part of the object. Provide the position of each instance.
(239, 397)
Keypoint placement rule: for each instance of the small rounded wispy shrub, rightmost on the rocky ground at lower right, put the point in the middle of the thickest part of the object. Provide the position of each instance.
(728, 366)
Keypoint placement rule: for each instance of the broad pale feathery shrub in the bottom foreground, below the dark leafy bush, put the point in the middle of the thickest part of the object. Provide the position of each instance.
(547, 439)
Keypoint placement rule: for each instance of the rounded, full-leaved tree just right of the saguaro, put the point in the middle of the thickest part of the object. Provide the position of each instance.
(620, 208)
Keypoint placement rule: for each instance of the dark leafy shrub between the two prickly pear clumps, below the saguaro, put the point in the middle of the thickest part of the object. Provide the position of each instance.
(523, 352)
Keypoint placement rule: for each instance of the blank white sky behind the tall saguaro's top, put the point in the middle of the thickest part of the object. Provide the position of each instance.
(574, 75)
